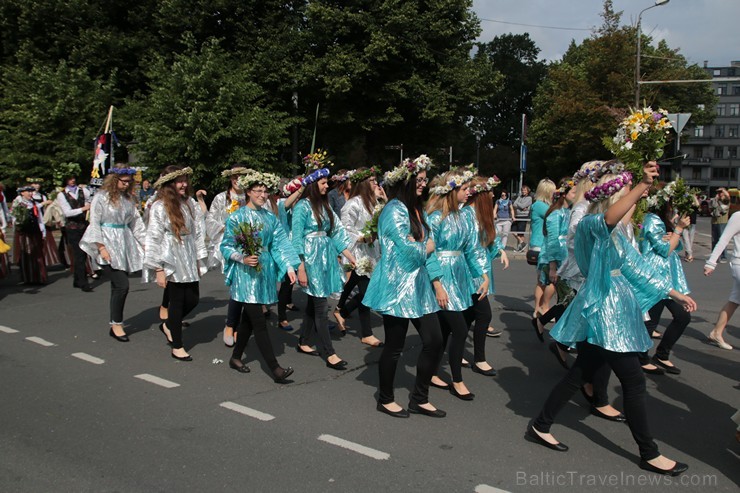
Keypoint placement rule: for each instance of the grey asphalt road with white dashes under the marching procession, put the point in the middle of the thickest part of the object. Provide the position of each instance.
(86, 413)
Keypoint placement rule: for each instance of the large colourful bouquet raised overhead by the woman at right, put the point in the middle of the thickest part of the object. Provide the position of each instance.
(640, 138)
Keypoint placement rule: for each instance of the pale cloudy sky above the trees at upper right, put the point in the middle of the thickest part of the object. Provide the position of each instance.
(701, 29)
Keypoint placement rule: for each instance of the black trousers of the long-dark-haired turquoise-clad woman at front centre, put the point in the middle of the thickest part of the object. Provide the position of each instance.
(395, 337)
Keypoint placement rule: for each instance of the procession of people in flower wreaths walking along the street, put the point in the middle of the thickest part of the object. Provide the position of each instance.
(412, 250)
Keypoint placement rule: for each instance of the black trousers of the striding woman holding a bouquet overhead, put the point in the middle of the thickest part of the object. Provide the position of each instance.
(626, 367)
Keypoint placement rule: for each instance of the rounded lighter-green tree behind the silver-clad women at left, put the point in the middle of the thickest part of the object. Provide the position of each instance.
(204, 110)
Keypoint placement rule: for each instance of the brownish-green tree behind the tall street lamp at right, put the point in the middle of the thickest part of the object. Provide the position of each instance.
(590, 90)
